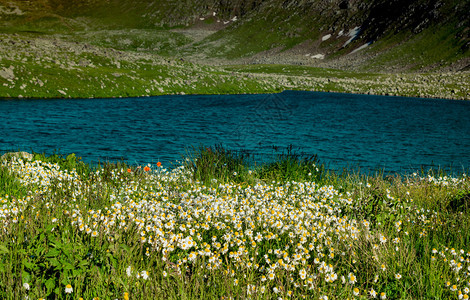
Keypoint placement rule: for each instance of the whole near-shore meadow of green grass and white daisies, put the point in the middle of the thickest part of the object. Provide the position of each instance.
(216, 227)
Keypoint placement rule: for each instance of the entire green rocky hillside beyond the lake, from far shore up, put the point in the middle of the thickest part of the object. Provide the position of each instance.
(84, 48)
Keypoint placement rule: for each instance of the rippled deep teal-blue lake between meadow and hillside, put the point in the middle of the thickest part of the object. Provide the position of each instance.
(344, 130)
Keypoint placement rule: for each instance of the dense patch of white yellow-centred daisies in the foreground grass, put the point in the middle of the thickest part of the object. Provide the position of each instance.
(289, 239)
